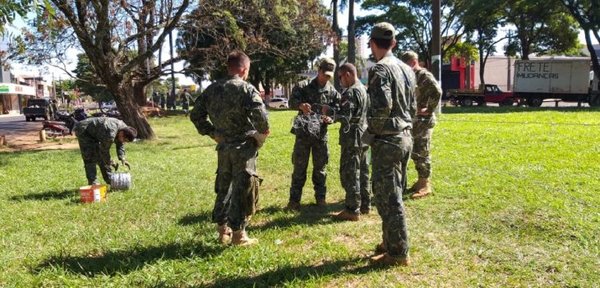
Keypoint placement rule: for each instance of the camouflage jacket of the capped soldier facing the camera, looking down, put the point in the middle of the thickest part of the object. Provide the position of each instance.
(308, 91)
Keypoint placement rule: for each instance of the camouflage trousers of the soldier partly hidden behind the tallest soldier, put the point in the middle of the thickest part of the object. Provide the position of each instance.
(422, 131)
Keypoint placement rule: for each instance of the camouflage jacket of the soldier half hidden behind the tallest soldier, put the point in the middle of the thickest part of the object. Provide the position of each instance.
(428, 91)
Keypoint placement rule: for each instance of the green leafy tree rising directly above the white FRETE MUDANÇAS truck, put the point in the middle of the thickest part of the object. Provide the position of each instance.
(543, 26)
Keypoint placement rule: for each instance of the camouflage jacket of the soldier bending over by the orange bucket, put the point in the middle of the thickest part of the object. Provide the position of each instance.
(102, 130)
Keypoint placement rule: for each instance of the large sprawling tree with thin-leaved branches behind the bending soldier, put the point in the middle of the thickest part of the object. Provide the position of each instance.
(119, 38)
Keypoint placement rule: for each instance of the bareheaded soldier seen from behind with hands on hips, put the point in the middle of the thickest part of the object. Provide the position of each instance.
(239, 124)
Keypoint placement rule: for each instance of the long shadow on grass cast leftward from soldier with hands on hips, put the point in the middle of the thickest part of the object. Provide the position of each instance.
(124, 262)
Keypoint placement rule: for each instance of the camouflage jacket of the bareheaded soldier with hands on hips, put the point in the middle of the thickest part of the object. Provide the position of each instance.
(234, 108)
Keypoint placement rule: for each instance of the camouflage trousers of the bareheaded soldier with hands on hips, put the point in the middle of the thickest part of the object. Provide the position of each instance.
(236, 167)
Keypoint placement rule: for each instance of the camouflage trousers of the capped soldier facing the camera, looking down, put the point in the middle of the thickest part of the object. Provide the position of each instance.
(300, 156)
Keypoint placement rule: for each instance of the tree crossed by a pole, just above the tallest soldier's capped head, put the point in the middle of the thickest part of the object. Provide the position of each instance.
(412, 19)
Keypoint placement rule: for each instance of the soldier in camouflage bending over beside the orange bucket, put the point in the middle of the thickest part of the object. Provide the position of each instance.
(95, 136)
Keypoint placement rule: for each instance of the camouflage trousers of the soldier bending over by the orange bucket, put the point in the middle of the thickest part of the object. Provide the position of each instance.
(93, 155)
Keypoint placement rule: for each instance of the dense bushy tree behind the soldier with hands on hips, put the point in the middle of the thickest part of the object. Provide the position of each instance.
(280, 37)
